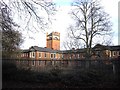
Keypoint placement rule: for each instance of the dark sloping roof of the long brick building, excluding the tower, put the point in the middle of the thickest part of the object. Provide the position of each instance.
(97, 47)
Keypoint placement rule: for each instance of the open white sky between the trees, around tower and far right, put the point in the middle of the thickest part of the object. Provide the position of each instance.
(63, 20)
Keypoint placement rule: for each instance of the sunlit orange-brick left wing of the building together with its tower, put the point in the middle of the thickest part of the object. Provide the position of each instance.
(50, 52)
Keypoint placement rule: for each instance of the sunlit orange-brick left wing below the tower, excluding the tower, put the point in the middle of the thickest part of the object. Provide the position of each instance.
(40, 53)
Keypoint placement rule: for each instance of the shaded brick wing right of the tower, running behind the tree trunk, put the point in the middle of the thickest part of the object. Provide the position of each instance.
(98, 52)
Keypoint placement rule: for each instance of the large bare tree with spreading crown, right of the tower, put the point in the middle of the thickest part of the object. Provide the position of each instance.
(91, 23)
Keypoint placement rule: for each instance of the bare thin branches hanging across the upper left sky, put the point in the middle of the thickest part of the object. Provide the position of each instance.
(34, 15)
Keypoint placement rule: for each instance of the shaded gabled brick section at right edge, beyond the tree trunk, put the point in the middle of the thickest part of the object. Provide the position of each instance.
(102, 51)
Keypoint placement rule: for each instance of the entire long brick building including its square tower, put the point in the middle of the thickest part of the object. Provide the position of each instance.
(52, 51)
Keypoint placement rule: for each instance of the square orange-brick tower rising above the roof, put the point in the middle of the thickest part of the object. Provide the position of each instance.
(53, 40)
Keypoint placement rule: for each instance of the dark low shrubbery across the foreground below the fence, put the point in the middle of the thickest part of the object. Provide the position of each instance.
(67, 77)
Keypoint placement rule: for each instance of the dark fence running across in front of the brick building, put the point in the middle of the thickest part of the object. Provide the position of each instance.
(110, 66)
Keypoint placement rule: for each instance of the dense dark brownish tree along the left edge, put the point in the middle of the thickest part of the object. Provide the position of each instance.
(11, 39)
